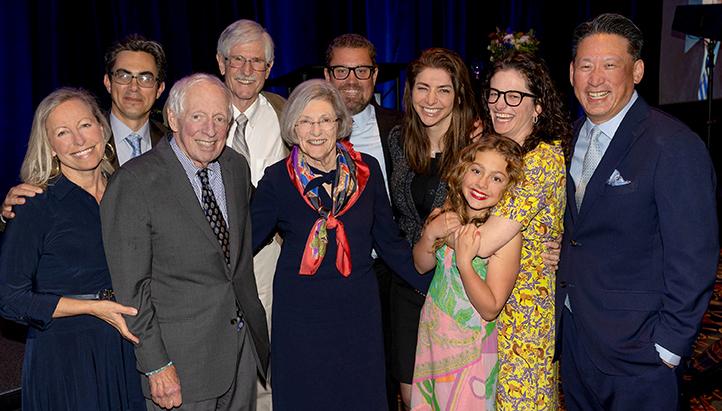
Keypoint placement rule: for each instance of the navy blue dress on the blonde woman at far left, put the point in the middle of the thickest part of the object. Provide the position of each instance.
(53, 247)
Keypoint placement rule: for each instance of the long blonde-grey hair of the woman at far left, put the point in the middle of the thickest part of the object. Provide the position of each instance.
(37, 167)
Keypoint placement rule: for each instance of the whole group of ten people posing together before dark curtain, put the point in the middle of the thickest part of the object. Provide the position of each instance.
(331, 254)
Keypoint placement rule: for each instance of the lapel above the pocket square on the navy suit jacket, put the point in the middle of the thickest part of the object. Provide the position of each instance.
(628, 132)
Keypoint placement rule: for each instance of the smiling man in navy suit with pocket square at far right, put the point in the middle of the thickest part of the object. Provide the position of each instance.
(640, 245)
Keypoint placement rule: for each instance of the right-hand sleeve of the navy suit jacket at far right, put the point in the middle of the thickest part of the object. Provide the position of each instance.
(684, 187)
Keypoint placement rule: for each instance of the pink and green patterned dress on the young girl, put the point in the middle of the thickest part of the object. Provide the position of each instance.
(456, 354)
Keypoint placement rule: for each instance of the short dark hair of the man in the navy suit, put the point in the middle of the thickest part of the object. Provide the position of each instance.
(610, 23)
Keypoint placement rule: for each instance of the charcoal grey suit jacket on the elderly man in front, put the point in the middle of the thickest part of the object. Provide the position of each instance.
(165, 260)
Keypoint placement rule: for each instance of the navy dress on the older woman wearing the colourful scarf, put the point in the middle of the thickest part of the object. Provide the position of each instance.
(326, 343)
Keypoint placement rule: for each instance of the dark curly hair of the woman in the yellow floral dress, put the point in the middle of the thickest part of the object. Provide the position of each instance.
(553, 122)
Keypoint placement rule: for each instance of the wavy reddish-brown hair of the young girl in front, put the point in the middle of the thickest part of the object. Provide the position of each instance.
(454, 177)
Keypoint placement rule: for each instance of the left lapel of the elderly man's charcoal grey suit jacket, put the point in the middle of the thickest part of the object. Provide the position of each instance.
(184, 193)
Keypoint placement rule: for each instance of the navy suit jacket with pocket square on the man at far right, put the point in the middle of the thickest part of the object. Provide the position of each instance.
(638, 260)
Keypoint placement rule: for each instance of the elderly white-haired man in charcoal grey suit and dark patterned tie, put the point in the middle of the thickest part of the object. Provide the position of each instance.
(176, 230)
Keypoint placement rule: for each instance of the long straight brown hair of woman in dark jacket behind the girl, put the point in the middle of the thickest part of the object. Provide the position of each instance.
(416, 144)
